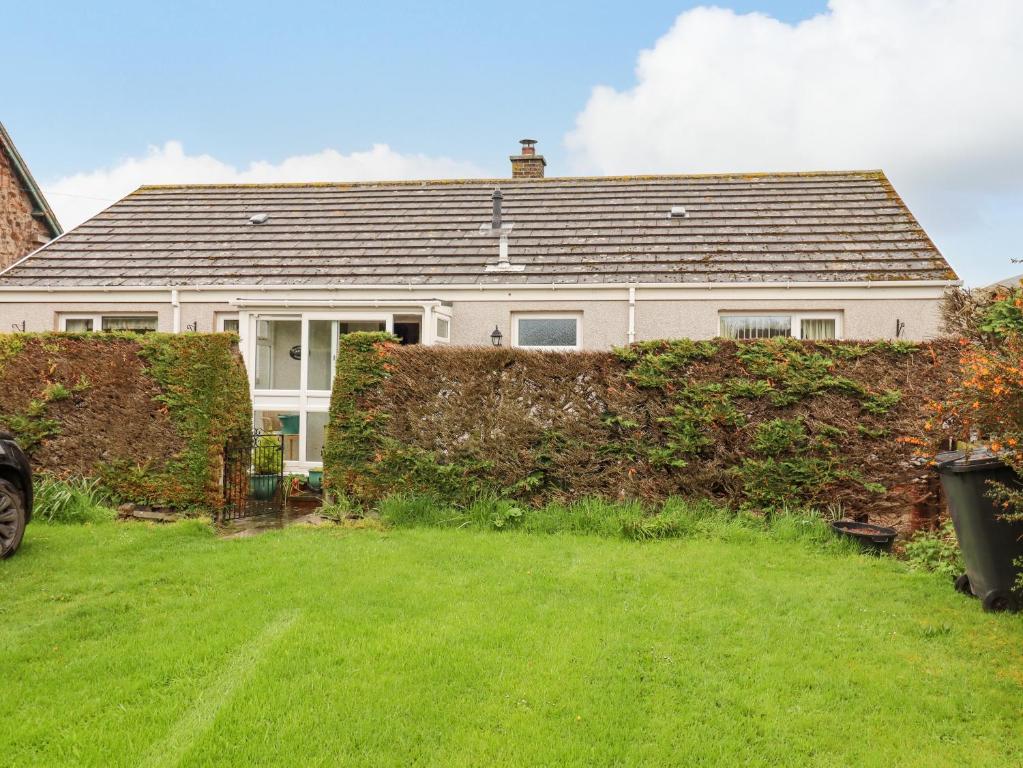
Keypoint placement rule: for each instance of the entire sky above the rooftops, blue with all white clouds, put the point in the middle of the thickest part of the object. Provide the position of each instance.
(449, 87)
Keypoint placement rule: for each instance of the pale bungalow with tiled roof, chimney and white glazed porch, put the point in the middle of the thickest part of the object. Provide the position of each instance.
(533, 262)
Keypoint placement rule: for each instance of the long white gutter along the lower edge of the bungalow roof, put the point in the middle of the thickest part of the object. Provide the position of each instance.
(487, 287)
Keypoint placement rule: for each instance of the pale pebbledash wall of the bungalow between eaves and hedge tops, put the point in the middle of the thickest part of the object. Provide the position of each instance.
(657, 312)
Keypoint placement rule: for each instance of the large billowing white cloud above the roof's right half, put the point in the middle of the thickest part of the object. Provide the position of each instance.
(926, 89)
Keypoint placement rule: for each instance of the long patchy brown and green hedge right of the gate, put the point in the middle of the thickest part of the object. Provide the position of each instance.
(764, 425)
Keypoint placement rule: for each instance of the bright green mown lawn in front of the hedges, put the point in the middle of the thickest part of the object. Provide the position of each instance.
(130, 645)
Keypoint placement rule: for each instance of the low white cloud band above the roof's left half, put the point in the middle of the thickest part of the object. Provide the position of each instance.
(77, 198)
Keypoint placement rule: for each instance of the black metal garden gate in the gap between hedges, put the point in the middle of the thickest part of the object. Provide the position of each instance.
(254, 476)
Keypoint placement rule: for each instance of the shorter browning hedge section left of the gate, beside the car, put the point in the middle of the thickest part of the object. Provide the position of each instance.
(149, 415)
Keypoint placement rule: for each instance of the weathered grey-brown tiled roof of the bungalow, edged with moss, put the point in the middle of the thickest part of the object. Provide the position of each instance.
(739, 229)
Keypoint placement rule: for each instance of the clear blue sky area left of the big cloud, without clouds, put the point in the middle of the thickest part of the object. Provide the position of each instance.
(271, 80)
